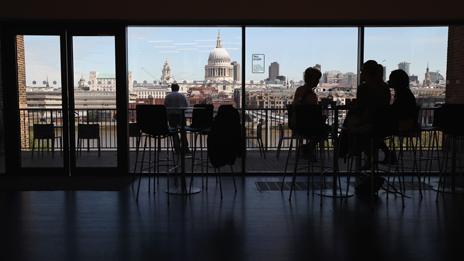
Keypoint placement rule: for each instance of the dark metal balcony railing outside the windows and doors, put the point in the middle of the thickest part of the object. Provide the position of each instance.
(270, 124)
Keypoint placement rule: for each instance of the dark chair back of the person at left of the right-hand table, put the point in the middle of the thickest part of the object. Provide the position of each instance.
(308, 121)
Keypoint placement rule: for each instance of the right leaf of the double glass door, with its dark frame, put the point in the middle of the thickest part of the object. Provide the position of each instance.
(97, 94)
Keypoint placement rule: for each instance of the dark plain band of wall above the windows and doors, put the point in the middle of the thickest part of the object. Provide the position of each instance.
(334, 11)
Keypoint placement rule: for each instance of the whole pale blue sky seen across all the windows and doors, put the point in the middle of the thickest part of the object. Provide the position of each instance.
(187, 49)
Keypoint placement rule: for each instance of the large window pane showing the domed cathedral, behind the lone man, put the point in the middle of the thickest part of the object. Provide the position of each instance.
(204, 61)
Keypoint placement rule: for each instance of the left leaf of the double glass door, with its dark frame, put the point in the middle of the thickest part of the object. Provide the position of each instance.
(35, 101)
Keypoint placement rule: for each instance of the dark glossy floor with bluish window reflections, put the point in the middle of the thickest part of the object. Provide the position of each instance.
(247, 225)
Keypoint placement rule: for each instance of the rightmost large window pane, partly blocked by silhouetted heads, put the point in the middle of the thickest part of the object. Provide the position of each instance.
(420, 51)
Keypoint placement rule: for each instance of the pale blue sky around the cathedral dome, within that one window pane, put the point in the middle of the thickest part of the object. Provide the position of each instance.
(185, 49)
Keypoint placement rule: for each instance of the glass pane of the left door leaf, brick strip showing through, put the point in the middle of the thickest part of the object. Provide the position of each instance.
(40, 100)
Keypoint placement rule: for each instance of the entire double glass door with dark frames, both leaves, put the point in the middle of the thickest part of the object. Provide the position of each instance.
(66, 101)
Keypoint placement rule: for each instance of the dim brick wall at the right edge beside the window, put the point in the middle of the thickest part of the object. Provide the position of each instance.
(455, 65)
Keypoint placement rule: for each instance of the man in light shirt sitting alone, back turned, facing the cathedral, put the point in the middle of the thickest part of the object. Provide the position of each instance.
(175, 103)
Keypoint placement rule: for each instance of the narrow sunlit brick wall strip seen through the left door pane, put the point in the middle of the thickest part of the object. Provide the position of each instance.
(22, 90)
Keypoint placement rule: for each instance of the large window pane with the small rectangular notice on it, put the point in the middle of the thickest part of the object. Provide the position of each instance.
(276, 59)
